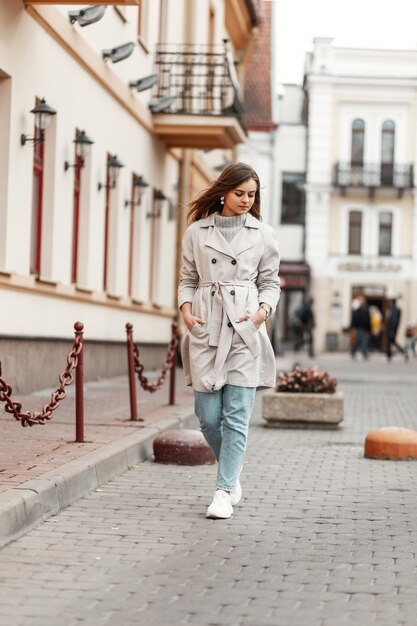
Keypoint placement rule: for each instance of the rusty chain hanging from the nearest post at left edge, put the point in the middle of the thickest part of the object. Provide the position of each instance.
(66, 378)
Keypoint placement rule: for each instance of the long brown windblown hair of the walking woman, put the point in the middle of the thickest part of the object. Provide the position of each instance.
(208, 201)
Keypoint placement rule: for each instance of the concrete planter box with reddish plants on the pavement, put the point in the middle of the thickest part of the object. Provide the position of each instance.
(304, 397)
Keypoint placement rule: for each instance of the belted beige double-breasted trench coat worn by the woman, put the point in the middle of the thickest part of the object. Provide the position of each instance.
(223, 282)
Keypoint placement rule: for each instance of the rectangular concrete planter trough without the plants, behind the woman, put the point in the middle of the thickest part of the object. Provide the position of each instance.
(302, 410)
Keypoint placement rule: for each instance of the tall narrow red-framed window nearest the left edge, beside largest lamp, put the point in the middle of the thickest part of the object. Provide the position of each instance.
(37, 200)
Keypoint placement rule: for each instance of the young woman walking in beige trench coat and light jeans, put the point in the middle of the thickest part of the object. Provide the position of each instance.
(229, 286)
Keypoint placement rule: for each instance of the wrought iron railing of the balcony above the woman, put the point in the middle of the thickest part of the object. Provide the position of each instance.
(196, 80)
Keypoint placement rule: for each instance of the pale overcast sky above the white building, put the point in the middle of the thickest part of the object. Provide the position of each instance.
(351, 23)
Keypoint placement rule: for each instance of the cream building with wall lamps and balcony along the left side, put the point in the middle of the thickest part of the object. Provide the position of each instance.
(111, 117)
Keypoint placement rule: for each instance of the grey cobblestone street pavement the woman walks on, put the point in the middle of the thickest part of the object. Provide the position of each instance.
(323, 537)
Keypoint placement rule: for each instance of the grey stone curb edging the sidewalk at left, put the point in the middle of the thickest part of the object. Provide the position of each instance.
(24, 506)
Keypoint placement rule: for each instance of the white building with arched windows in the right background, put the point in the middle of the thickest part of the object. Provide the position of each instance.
(360, 206)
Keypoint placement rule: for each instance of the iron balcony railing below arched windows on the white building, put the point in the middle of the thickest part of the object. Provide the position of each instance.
(373, 175)
